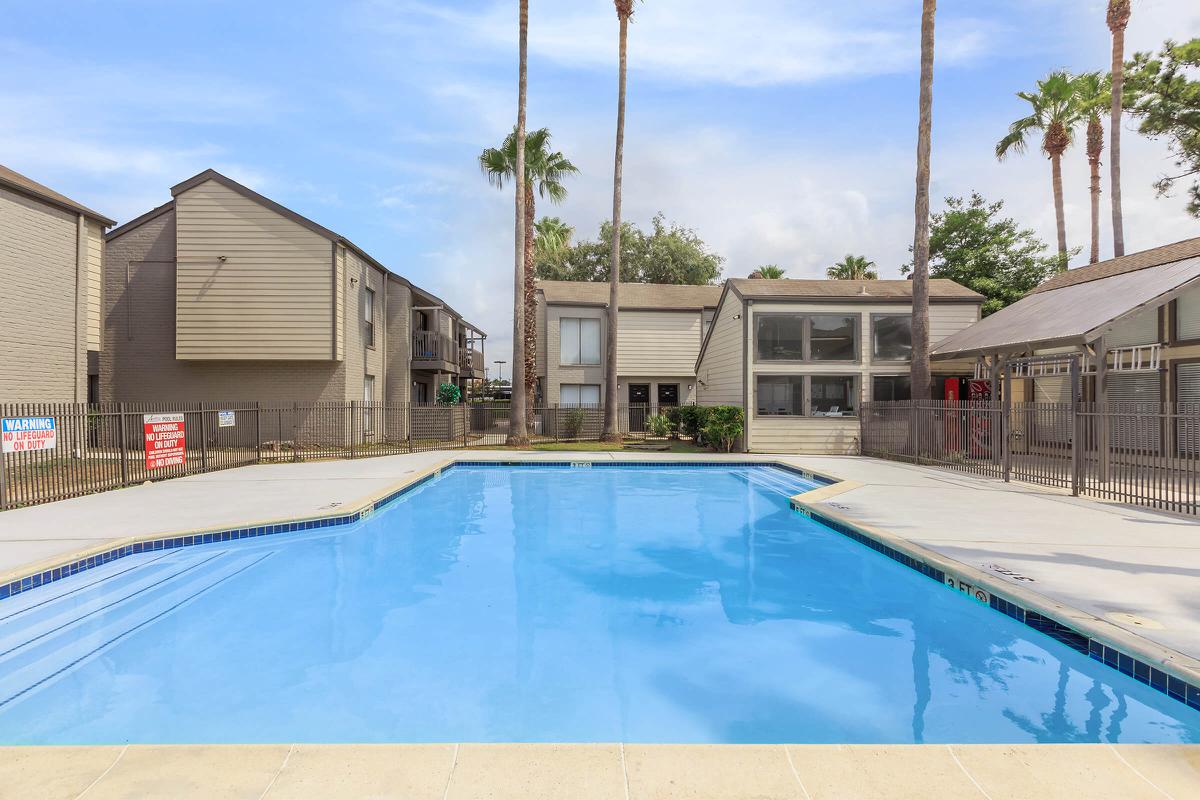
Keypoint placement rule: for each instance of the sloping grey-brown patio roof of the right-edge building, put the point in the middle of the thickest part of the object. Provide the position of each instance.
(1078, 311)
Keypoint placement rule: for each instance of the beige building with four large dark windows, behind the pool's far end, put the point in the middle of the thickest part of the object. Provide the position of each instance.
(801, 357)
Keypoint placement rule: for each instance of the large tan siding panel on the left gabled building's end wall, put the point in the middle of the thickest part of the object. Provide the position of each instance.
(273, 298)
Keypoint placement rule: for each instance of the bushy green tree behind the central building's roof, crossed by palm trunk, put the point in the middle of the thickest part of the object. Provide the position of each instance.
(669, 254)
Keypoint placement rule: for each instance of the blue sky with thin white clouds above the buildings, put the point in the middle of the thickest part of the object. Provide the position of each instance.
(782, 131)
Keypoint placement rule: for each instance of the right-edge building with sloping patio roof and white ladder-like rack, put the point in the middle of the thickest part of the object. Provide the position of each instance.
(1133, 324)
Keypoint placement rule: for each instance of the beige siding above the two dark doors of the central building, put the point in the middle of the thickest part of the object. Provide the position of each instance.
(658, 342)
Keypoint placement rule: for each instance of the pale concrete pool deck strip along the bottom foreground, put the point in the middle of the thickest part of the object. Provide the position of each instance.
(603, 773)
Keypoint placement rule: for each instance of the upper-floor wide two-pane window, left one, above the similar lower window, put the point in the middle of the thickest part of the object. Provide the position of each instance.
(807, 338)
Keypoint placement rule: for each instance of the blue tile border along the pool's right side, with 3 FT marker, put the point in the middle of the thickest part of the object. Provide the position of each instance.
(1124, 663)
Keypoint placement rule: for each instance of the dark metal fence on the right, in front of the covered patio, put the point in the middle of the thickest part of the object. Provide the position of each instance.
(1143, 454)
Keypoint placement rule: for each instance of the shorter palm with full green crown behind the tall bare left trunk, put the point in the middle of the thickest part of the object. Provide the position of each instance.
(545, 171)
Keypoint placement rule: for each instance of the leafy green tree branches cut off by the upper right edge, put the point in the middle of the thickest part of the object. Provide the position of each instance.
(1167, 100)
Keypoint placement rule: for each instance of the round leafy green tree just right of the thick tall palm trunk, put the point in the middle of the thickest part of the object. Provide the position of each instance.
(973, 244)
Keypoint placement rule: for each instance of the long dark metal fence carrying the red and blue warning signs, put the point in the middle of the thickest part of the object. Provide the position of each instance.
(105, 447)
